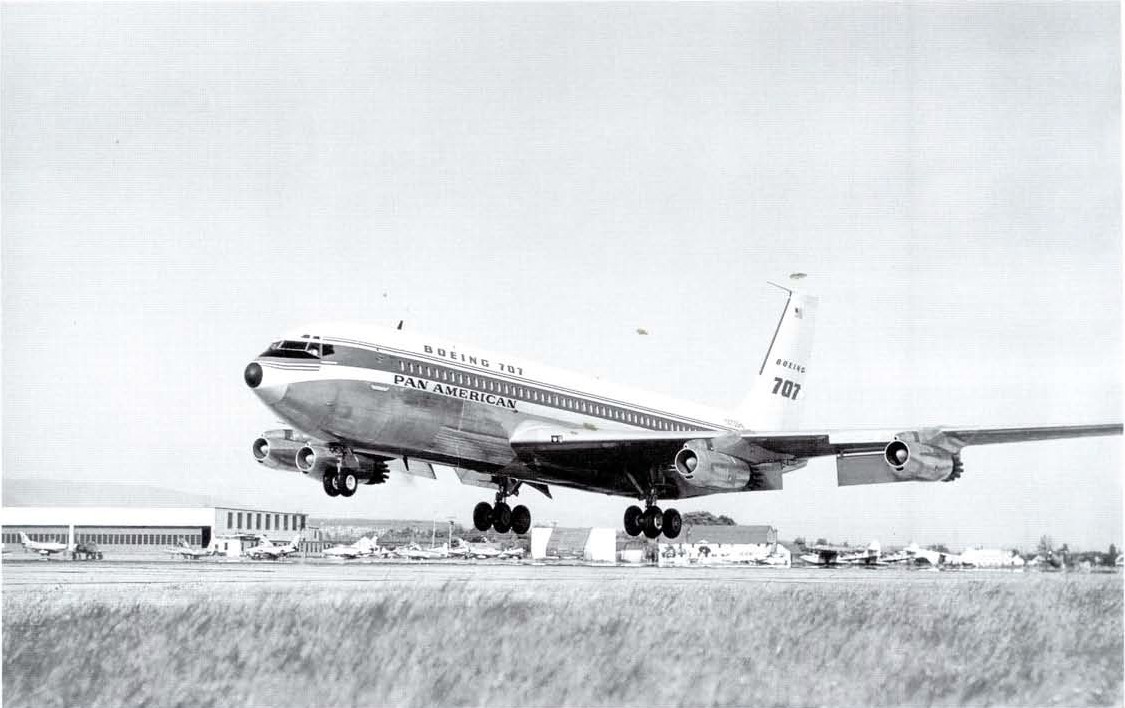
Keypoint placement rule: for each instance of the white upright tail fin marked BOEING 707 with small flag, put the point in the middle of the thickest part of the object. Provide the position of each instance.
(778, 395)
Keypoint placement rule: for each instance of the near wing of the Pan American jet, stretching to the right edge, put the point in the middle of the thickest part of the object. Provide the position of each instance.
(619, 462)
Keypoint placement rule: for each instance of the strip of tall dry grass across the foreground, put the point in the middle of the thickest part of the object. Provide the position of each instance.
(1037, 641)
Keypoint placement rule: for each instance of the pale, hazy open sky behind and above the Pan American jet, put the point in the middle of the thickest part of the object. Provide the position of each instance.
(184, 183)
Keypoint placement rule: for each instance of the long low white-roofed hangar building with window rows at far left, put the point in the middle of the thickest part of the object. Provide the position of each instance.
(141, 528)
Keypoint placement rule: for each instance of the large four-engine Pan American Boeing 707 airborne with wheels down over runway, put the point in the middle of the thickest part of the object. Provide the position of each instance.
(361, 398)
